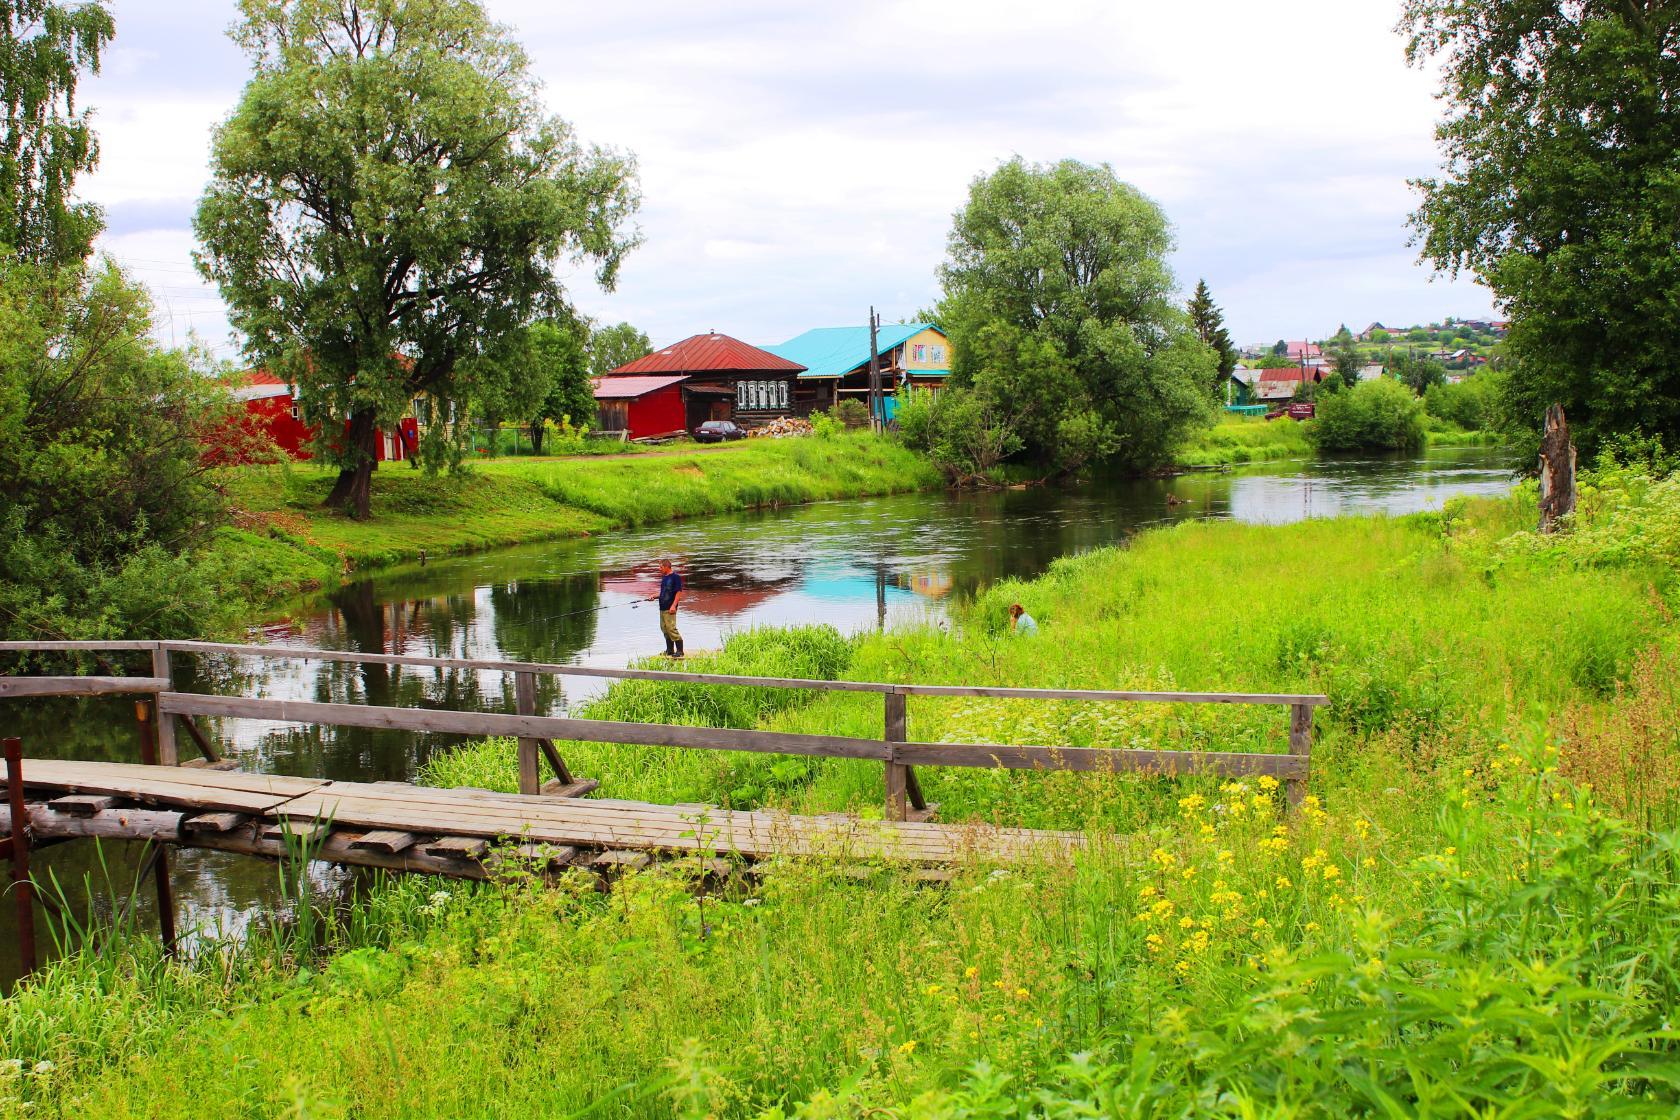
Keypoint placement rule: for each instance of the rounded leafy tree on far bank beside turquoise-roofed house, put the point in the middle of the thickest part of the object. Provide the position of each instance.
(1059, 305)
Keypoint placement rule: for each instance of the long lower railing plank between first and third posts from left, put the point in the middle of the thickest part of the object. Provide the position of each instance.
(523, 726)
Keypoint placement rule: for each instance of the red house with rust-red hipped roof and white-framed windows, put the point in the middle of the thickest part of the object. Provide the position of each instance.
(706, 377)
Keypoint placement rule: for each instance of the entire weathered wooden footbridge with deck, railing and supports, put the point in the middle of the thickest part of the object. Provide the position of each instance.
(207, 803)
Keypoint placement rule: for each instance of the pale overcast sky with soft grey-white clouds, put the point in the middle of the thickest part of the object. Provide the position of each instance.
(801, 162)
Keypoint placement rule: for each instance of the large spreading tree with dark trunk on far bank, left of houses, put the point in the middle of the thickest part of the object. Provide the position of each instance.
(389, 206)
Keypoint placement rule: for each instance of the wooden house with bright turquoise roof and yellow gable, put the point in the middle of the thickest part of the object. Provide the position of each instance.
(916, 355)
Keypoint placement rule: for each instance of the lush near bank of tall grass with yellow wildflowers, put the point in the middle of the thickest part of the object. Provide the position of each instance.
(1473, 916)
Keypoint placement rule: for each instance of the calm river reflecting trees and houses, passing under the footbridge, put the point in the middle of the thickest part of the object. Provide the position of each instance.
(854, 565)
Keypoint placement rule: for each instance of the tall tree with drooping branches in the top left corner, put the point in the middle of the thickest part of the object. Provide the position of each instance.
(45, 142)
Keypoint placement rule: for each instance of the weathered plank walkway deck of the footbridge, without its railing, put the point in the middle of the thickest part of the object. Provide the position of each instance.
(364, 819)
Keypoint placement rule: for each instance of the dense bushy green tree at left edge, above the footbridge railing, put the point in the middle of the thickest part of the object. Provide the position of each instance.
(105, 483)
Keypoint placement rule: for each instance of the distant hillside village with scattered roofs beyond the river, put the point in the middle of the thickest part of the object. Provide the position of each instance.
(1274, 374)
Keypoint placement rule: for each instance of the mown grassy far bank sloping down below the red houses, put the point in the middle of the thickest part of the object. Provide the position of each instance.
(285, 542)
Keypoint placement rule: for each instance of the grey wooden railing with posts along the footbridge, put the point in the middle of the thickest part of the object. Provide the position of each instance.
(537, 733)
